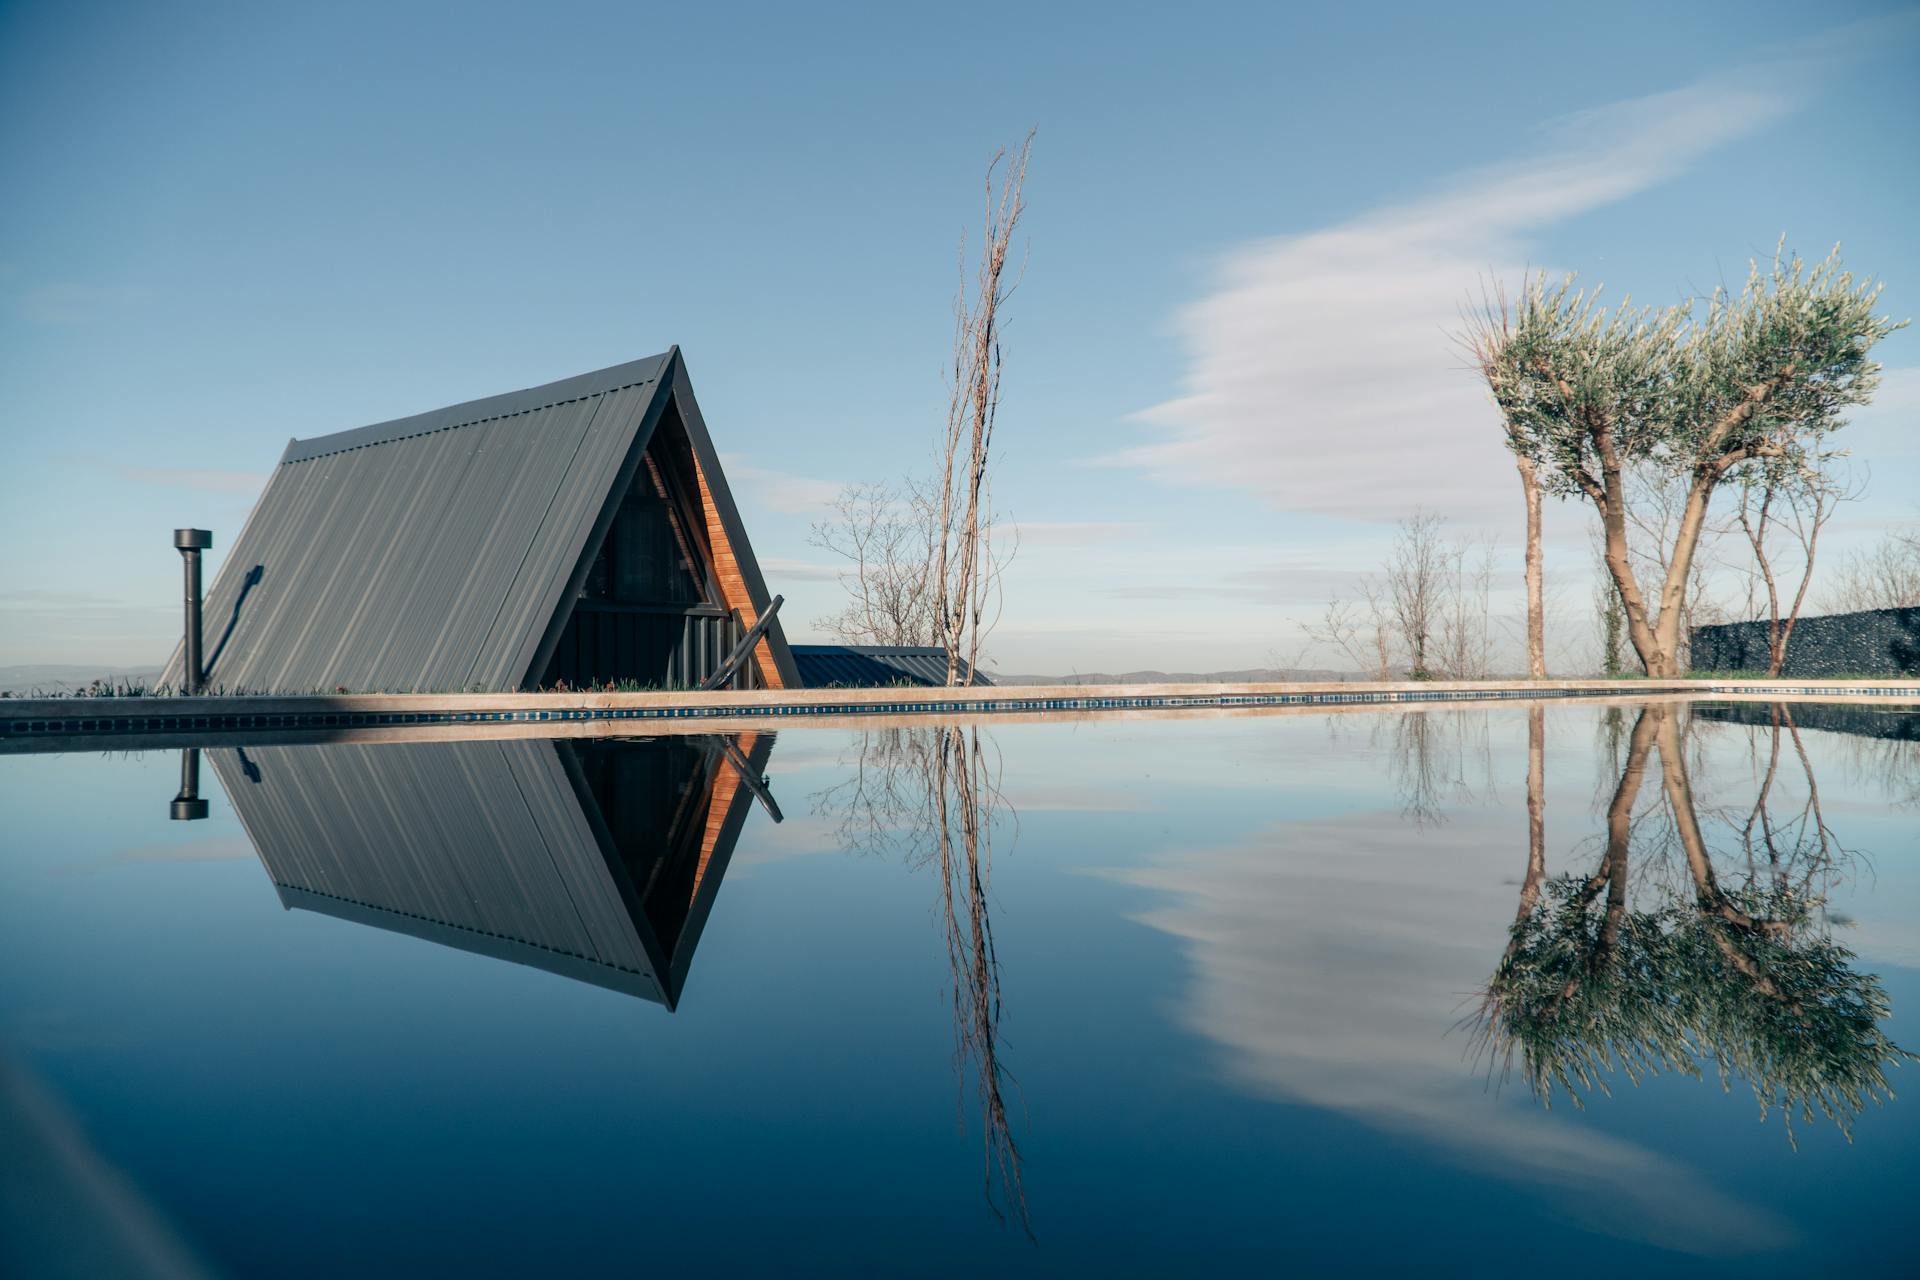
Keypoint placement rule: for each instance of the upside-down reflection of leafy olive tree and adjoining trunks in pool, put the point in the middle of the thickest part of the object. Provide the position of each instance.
(1742, 974)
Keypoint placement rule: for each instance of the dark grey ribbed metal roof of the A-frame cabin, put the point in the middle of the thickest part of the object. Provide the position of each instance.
(443, 552)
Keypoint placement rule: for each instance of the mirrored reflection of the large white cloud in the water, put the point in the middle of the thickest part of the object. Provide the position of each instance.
(1332, 962)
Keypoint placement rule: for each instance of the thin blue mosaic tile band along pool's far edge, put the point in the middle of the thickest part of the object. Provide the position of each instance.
(965, 707)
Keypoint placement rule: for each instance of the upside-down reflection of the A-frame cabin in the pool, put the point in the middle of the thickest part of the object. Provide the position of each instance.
(596, 861)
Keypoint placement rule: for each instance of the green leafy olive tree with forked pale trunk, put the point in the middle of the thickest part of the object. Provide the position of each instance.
(1762, 375)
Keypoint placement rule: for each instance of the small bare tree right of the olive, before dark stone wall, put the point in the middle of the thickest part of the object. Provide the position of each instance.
(1792, 504)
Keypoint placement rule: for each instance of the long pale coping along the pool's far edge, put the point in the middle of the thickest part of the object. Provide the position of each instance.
(151, 723)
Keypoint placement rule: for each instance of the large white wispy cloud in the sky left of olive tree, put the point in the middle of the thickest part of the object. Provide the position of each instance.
(1320, 371)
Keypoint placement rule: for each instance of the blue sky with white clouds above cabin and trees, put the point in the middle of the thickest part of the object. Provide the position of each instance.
(1228, 366)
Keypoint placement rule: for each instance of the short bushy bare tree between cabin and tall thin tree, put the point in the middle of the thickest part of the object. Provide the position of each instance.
(886, 534)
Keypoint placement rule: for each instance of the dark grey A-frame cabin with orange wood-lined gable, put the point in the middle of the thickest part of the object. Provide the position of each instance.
(579, 533)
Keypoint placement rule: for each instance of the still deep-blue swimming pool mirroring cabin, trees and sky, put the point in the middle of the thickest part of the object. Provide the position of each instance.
(1595, 985)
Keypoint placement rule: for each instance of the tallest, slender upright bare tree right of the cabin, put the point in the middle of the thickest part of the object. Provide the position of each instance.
(965, 582)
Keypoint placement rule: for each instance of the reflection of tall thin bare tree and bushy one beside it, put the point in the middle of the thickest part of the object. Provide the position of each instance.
(934, 797)
